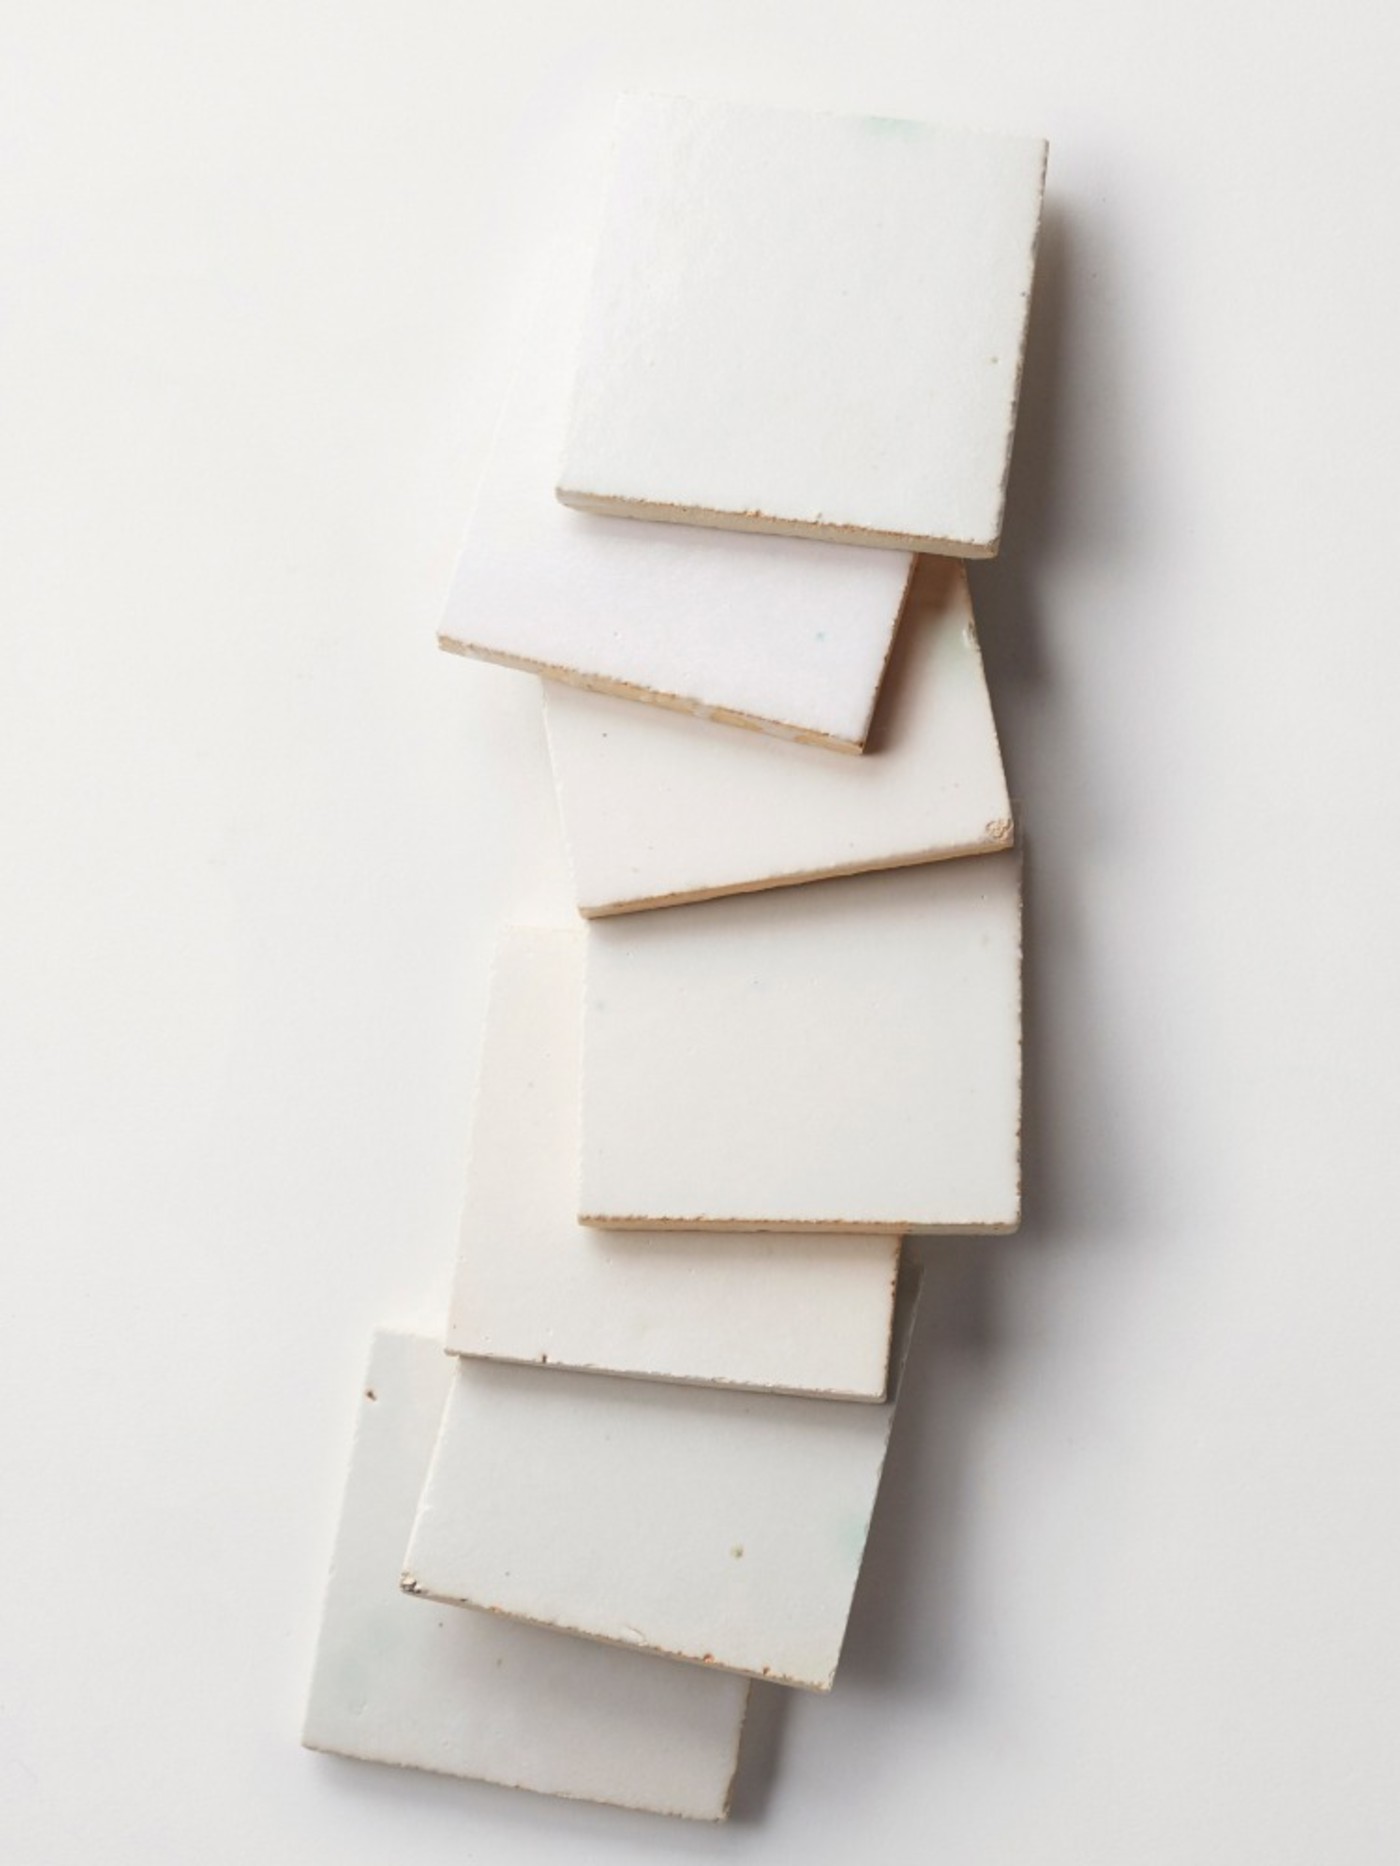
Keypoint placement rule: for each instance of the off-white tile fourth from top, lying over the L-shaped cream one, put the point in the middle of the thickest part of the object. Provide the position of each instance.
(837, 1057)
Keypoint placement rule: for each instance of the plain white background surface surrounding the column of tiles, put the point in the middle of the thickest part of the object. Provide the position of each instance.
(1132, 1598)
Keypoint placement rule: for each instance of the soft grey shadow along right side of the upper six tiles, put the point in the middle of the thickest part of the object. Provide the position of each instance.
(910, 1606)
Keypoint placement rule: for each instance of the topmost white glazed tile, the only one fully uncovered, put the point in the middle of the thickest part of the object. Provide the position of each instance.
(807, 324)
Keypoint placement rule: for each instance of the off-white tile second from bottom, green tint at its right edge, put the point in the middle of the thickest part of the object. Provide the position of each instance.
(718, 1527)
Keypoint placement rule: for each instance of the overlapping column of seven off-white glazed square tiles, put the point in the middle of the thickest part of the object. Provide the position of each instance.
(787, 1029)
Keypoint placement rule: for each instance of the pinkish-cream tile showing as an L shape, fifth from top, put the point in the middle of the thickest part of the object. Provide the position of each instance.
(787, 1315)
